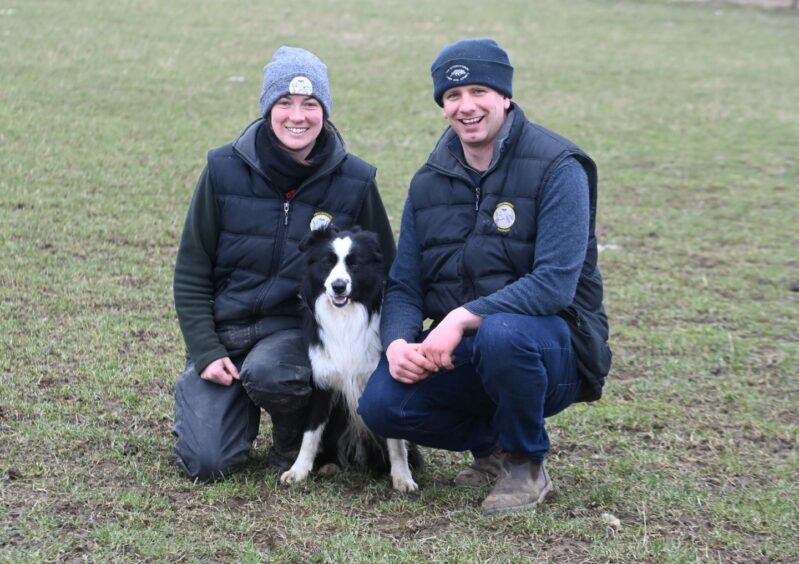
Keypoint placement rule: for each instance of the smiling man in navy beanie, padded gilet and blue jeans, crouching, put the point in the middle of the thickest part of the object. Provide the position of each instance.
(497, 247)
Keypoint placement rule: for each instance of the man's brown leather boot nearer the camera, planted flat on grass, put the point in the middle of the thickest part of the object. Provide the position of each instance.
(522, 484)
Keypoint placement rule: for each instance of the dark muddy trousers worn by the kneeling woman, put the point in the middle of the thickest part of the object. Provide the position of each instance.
(216, 425)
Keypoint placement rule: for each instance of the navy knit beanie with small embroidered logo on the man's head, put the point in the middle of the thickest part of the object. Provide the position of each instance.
(472, 61)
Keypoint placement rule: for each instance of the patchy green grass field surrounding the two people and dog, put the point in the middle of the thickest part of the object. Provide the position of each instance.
(691, 111)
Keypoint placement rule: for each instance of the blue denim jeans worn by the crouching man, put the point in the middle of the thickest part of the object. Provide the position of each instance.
(513, 373)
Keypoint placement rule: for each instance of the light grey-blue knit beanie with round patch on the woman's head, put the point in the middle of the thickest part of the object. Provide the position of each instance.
(295, 71)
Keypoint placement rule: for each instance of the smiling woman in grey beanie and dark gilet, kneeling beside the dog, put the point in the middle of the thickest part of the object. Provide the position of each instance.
(238, 268)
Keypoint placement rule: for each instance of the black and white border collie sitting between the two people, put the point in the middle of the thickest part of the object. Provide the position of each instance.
(343, 292)
